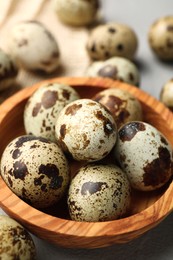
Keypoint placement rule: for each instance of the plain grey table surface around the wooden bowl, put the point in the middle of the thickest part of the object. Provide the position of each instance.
(156, 243)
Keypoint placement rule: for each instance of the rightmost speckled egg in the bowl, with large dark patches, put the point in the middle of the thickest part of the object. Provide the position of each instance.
(144, 154)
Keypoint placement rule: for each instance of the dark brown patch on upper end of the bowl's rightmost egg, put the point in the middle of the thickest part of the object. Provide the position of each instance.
(128, 131)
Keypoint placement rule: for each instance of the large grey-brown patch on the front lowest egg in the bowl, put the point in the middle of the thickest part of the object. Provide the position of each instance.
(93, 187)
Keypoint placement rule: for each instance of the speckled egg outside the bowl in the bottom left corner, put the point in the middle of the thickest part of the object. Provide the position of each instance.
(16, 242)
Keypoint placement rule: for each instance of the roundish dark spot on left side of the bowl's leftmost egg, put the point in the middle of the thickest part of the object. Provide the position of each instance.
(19, 170)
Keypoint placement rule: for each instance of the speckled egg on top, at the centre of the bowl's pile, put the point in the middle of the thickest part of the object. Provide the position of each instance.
(86, 130)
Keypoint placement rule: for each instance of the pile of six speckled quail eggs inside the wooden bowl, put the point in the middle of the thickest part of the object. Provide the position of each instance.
(102, 136)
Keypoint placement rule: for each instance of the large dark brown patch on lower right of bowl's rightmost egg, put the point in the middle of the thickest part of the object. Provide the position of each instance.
(158, 171)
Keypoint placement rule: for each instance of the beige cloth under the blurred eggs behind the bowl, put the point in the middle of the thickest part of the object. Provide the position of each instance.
(71, 40)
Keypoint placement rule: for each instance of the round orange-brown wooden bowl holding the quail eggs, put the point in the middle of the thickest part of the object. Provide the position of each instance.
(149, 208)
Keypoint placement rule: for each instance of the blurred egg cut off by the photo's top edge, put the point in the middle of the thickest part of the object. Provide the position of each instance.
(76, 12)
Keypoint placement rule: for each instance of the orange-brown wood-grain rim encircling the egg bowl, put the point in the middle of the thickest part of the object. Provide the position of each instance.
(139, 222)
